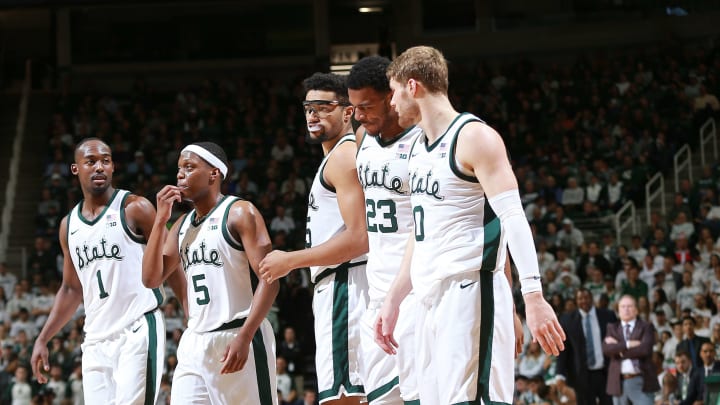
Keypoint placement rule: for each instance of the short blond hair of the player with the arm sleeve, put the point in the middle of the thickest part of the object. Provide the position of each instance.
(424, 64)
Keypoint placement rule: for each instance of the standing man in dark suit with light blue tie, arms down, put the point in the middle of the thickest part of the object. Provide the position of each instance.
(582, 363)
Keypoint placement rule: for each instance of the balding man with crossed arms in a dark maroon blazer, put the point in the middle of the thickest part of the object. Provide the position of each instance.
(629, 346)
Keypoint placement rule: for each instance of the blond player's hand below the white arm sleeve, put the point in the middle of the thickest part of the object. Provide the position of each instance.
(543, 323)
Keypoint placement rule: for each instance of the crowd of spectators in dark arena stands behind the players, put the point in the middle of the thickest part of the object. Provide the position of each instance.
(584, 138)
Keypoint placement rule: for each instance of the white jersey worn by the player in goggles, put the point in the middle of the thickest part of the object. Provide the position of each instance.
(324, 219)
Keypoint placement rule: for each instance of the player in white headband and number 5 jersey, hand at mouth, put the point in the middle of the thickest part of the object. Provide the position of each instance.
(227, 353)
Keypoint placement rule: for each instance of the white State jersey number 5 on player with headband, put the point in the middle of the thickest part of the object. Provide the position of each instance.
(216, 267)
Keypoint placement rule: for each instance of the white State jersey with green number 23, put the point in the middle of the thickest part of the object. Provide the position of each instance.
(383, 172)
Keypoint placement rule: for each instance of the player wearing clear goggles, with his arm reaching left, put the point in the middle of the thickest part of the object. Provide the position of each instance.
(336, 241)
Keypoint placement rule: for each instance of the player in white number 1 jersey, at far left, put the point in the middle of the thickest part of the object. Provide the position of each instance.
(102, 241)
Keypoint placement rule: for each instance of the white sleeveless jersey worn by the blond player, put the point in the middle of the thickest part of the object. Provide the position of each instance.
(456, 231)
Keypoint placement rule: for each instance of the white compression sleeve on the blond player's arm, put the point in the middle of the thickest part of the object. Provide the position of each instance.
(509, 209)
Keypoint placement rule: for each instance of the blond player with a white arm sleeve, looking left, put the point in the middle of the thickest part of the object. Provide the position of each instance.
(466, 208)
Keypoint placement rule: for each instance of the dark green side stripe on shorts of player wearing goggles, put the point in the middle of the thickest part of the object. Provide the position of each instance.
(341, 362)
